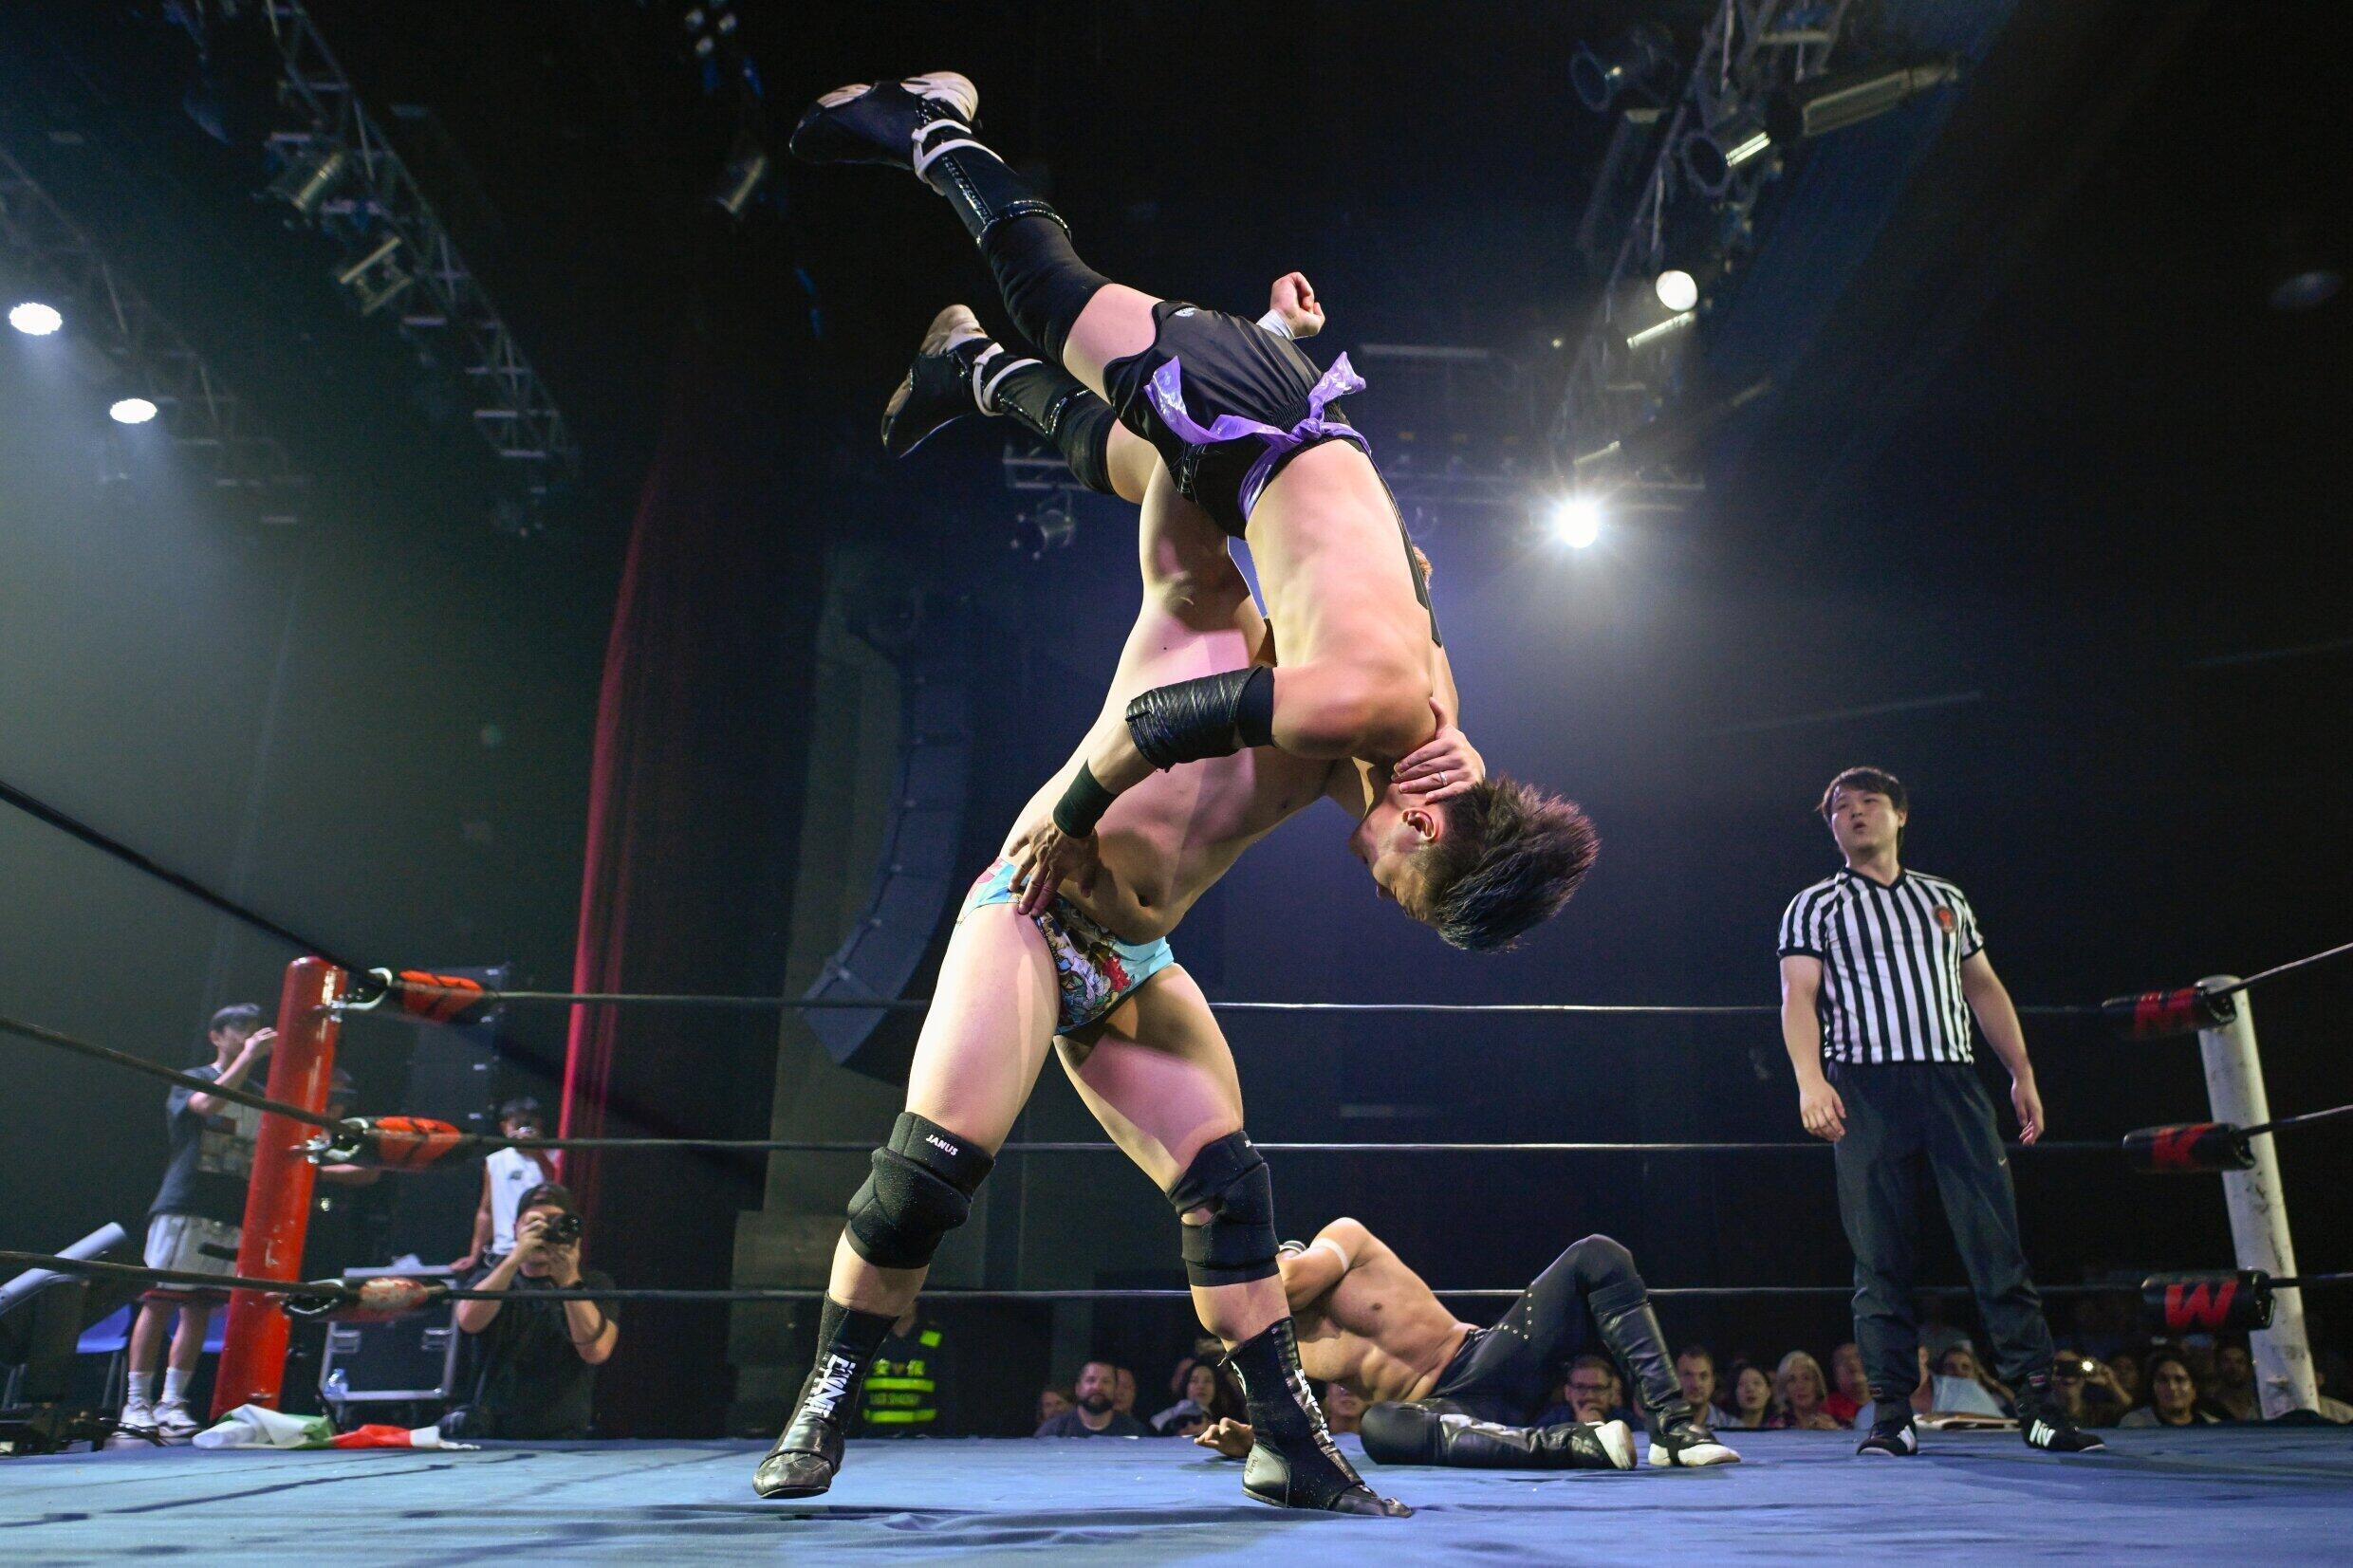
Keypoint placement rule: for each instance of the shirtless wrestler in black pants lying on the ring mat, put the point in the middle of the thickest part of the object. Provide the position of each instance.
(1444, 1393)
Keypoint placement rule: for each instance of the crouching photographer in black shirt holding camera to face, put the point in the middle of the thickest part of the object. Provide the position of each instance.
(540, 1358)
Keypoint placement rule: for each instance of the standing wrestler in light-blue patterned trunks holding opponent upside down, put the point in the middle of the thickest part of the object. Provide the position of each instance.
(1093, 977)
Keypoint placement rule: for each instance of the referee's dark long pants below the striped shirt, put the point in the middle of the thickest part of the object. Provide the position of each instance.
(1935, 1115)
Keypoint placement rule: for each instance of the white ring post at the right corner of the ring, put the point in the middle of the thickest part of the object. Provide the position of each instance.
(2284, 1355)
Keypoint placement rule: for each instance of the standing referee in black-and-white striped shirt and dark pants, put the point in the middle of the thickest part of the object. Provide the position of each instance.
(1881, 970)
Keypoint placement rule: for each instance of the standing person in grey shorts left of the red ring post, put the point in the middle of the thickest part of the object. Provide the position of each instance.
(196, 1221)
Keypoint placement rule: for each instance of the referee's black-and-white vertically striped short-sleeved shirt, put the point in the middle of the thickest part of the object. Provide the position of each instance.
(1891, 965)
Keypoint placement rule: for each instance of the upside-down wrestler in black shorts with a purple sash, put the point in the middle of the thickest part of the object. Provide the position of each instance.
(1246, 429)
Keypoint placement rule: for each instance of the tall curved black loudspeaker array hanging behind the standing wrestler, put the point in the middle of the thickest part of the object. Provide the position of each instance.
(916, 883)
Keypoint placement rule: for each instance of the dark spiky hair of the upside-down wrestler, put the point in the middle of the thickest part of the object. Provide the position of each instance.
(1509, 859)
